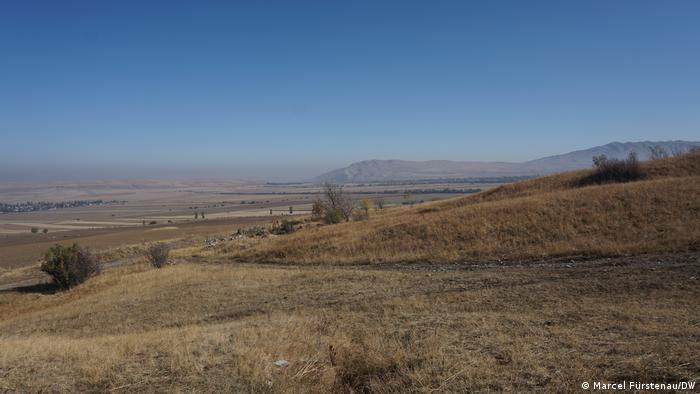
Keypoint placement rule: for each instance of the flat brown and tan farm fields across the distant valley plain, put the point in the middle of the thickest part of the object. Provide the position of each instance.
(227, 206)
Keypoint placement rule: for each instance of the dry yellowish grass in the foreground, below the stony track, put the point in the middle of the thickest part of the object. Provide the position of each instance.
(540, 326)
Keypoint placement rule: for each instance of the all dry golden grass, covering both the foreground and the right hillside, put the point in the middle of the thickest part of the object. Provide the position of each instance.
(546, 327)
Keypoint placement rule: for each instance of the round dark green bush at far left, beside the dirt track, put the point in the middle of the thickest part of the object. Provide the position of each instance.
(69, 266)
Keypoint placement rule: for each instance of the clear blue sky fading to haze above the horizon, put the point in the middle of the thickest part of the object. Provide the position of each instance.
(289, 89)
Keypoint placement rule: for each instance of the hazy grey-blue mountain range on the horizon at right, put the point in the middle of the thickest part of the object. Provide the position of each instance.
(402, 170)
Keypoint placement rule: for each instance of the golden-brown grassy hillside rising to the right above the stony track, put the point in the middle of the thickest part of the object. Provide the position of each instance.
(548, 216)
